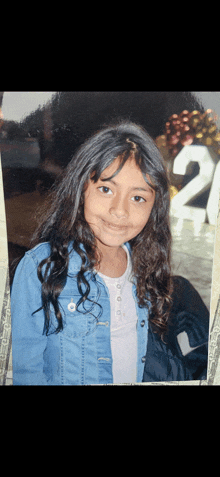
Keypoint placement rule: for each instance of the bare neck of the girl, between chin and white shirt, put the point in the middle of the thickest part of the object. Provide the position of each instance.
(113, 262)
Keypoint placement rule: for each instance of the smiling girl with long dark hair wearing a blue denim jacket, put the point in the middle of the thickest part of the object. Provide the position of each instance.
(88, 297)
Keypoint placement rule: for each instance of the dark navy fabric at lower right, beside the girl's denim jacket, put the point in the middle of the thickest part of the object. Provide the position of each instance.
(164, 359)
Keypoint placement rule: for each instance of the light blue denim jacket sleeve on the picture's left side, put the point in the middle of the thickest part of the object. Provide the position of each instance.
(28, 341)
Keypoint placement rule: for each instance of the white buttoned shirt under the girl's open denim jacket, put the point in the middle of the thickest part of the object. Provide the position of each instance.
(123, 325)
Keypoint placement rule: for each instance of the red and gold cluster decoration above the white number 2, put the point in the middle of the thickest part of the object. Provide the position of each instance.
(190, 128)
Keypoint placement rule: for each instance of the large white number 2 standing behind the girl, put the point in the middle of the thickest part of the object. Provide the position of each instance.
(209, 175)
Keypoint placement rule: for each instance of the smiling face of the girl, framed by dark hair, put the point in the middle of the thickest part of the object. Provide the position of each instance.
(118, 209)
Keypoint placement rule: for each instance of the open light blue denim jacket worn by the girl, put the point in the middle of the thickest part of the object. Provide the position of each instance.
(81, 353)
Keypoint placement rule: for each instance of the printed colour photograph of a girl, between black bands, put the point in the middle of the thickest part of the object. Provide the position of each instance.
(109, 238)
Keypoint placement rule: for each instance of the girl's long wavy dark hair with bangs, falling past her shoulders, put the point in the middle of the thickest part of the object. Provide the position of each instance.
(63, 223)
